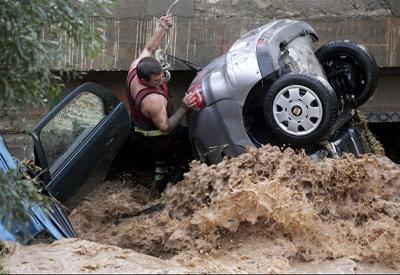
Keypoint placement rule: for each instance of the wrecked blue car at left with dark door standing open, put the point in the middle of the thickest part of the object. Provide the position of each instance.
(74, 145)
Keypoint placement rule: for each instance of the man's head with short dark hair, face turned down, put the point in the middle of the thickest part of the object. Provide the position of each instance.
(149, 70)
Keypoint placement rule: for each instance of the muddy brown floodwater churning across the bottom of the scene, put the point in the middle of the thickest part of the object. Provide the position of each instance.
(266, 211)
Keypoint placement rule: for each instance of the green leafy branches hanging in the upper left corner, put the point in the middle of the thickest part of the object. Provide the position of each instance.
(32, 41)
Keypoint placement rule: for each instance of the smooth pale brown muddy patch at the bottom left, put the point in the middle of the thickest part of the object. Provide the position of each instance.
(73, 256)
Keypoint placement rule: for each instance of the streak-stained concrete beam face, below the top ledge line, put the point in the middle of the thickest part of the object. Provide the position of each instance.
(203, 39)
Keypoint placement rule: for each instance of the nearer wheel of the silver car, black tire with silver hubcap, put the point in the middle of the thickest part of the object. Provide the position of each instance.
(300, 109)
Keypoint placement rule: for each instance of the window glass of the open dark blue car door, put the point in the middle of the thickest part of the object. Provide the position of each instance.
(66, 130)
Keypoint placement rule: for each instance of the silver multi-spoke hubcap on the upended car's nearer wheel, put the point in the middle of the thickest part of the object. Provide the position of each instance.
(297, 110)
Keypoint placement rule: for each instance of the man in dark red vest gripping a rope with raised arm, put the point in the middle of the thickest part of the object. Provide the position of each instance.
(149, 99)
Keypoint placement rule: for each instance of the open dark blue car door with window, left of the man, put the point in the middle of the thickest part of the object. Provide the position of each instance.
(76, 143)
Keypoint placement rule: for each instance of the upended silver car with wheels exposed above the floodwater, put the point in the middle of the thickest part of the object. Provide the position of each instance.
(271, 87)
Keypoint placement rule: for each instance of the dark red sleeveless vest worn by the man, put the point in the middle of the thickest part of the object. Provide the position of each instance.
(140, 120)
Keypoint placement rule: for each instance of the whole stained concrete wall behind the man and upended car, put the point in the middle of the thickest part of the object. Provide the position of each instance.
(205, 29)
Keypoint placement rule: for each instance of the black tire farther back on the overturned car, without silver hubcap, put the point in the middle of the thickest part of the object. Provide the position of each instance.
(350, 68)
